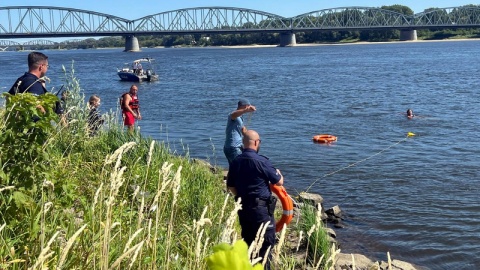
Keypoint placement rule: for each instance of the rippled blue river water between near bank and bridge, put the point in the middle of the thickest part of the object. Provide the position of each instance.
(416, 197)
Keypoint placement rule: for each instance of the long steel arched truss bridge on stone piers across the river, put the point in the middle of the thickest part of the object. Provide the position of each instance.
(45, 21)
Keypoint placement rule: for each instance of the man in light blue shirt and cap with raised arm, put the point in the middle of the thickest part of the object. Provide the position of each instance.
(235, 129)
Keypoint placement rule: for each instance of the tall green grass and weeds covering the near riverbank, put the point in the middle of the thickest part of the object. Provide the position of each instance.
(114, 201)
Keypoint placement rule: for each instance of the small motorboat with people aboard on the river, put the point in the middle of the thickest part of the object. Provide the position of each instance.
(139, 70)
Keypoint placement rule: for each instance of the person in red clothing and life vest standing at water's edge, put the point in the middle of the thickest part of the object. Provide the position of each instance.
(130, 108)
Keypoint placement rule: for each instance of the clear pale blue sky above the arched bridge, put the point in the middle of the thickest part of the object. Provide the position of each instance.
(134, 9)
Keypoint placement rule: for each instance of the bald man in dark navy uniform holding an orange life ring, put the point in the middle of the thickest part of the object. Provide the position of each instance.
(249, 177)
